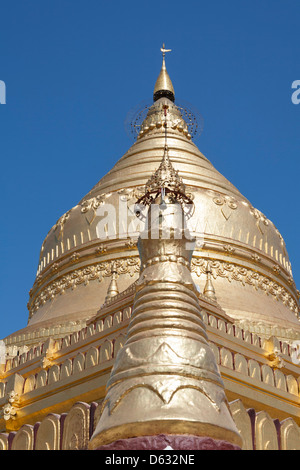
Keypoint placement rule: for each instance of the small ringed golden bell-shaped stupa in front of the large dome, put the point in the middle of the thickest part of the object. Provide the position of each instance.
(165, 379)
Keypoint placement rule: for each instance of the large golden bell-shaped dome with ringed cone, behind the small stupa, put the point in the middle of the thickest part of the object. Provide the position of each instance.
(250, 267)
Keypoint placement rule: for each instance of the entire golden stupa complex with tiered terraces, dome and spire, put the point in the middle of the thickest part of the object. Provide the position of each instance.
(232, 297)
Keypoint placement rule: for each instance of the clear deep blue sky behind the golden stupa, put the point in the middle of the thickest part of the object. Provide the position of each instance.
(74, 69)
